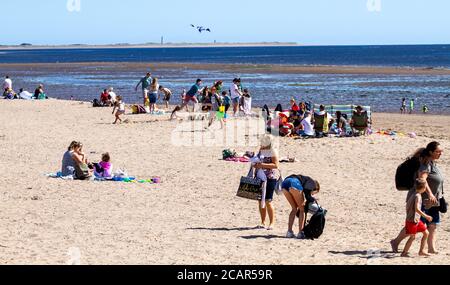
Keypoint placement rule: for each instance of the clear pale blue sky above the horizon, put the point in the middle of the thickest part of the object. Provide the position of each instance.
(314, 22)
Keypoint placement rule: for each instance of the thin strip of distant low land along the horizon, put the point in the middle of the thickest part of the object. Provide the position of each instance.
(168, 45)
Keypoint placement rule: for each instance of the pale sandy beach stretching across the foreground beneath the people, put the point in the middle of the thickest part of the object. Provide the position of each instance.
(194, 216)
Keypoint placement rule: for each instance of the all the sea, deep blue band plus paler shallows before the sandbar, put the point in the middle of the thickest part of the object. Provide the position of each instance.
(382, 92)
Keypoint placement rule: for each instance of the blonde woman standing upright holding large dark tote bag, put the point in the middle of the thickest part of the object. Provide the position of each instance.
(270, 162)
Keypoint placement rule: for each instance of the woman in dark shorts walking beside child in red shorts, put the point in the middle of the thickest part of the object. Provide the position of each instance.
(430, 172)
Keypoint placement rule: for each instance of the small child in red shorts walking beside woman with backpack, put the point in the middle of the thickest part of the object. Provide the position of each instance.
(413, 223)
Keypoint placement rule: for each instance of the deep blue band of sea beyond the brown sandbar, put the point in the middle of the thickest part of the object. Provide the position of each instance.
(407, 55)
